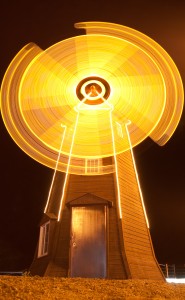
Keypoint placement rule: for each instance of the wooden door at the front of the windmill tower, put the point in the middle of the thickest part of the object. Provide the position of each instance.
(88, 241)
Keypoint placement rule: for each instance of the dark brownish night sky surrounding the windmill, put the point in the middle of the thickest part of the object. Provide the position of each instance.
(25, 183)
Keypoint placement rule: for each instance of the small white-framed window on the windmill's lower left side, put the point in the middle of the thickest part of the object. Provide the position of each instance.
(43, 240)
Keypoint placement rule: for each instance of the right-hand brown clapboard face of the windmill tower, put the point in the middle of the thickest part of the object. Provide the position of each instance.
(137, 242)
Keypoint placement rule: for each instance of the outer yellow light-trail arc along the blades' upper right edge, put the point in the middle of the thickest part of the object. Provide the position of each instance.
(172, 80)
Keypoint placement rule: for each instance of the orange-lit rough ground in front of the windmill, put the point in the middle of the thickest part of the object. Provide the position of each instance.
(27, 287)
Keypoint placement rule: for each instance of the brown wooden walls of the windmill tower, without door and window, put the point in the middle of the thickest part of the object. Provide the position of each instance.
(129, 248)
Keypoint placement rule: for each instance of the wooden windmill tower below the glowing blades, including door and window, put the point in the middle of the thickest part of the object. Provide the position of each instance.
(91, 240)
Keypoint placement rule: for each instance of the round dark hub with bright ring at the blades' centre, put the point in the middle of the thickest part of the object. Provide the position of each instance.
(93, 90)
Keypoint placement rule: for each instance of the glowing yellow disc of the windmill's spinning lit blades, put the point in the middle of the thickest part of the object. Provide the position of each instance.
(145, 87)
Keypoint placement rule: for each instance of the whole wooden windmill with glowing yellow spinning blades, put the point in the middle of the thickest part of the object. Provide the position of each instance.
(80, 107)
